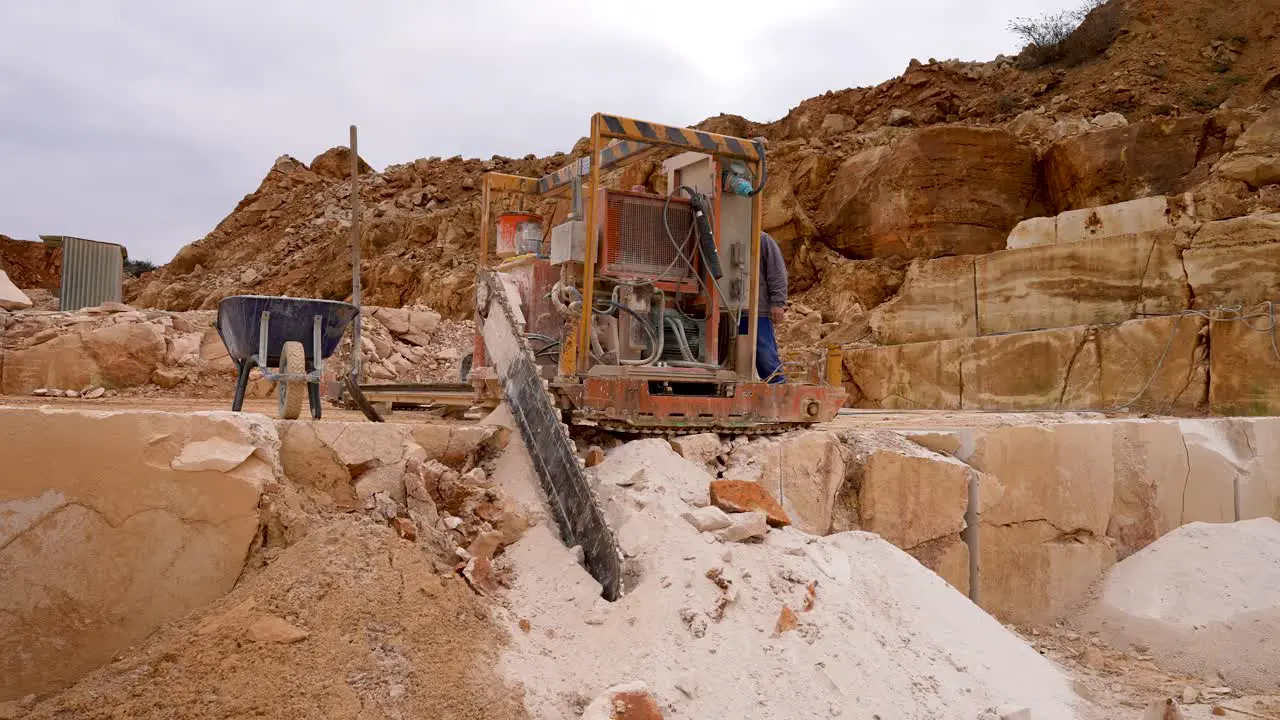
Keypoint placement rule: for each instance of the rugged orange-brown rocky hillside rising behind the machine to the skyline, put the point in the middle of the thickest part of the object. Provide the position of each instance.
(945, 160)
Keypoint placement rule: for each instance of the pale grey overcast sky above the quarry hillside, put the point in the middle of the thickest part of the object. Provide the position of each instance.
(144, 122)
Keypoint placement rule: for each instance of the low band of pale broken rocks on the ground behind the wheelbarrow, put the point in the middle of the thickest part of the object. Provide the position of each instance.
(100, 352)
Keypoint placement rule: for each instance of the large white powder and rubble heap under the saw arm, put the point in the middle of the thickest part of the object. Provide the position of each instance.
(732, 618)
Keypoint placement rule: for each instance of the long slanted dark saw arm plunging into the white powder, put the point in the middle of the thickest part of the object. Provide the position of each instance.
(560, 471)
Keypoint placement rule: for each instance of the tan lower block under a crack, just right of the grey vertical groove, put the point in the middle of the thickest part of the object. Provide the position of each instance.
(1032, 573)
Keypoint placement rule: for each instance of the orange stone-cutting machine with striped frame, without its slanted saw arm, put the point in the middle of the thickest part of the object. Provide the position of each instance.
(630, 304)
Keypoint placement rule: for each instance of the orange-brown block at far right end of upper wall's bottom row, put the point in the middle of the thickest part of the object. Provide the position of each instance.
(1244, 367)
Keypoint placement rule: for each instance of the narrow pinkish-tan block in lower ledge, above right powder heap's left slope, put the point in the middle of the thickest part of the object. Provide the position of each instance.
(1151, 472)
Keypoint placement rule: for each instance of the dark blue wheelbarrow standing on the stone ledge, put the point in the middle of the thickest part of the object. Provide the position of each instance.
(292, 335)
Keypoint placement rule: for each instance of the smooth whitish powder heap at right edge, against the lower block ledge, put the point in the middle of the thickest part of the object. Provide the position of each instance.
(1204, 600)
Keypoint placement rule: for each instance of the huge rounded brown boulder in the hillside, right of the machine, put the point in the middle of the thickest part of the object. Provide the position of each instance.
(938, 192)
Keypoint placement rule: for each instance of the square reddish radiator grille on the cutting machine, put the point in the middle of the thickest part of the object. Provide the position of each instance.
(637, 244)
